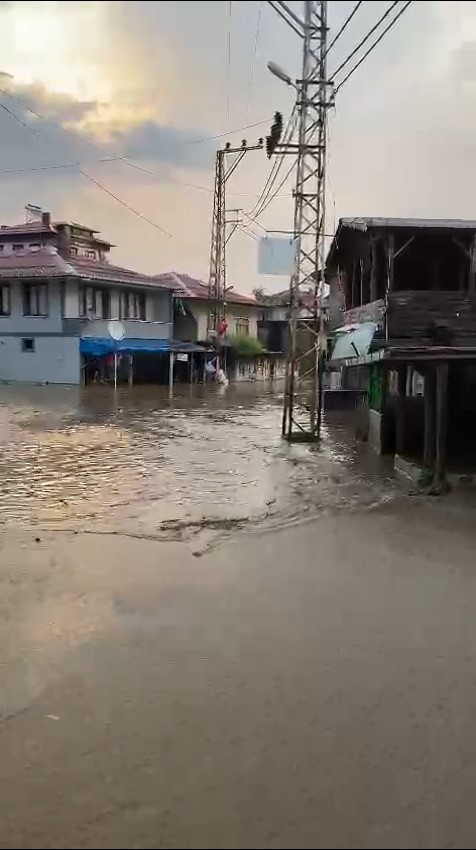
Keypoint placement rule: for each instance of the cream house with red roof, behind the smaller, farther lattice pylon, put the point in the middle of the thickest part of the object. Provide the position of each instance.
(192, 307)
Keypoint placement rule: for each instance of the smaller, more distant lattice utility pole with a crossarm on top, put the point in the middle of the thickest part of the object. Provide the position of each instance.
(217, 273)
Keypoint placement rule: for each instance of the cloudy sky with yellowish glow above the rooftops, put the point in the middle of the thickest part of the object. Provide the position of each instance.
(153, 81)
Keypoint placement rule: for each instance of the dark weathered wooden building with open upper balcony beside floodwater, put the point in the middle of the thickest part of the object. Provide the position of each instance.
(412, 282)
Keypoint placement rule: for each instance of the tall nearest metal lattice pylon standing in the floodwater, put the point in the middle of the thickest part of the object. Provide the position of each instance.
(303, 391)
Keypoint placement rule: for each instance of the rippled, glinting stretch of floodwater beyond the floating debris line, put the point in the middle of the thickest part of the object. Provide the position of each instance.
(137, 462)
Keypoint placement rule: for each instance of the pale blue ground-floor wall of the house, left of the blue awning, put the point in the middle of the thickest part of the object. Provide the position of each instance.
(55, 359)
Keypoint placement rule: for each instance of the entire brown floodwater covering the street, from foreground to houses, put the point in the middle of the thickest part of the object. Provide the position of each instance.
(309, 680)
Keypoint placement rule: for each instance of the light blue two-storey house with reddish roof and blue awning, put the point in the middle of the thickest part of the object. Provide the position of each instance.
(58, 294)
